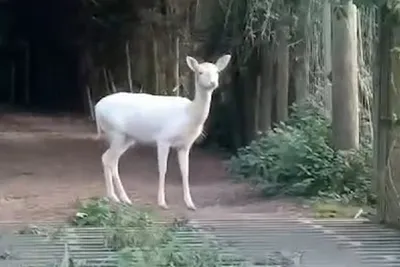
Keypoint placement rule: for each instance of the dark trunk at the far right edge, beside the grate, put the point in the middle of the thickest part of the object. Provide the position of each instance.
(386, 99)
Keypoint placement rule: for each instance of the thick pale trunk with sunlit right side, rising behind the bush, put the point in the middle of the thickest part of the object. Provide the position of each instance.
(345, 117)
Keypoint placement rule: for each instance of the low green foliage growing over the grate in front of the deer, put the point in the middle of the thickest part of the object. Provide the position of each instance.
(138, 238)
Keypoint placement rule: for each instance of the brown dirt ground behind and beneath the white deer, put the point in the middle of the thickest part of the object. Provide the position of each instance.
(48, 163)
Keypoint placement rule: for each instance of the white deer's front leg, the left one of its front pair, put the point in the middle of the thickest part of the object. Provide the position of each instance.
(162, 158)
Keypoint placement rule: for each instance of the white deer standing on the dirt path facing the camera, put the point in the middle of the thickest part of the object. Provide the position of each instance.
(166, 121)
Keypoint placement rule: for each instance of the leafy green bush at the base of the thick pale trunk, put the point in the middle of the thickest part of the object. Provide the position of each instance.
(297, 158)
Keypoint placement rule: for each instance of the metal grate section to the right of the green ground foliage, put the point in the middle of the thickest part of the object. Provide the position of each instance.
(324, 242)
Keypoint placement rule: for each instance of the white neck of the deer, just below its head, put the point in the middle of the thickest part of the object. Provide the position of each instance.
(200, 106)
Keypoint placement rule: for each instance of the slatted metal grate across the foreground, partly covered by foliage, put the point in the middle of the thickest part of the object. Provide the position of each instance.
(252, 238)
